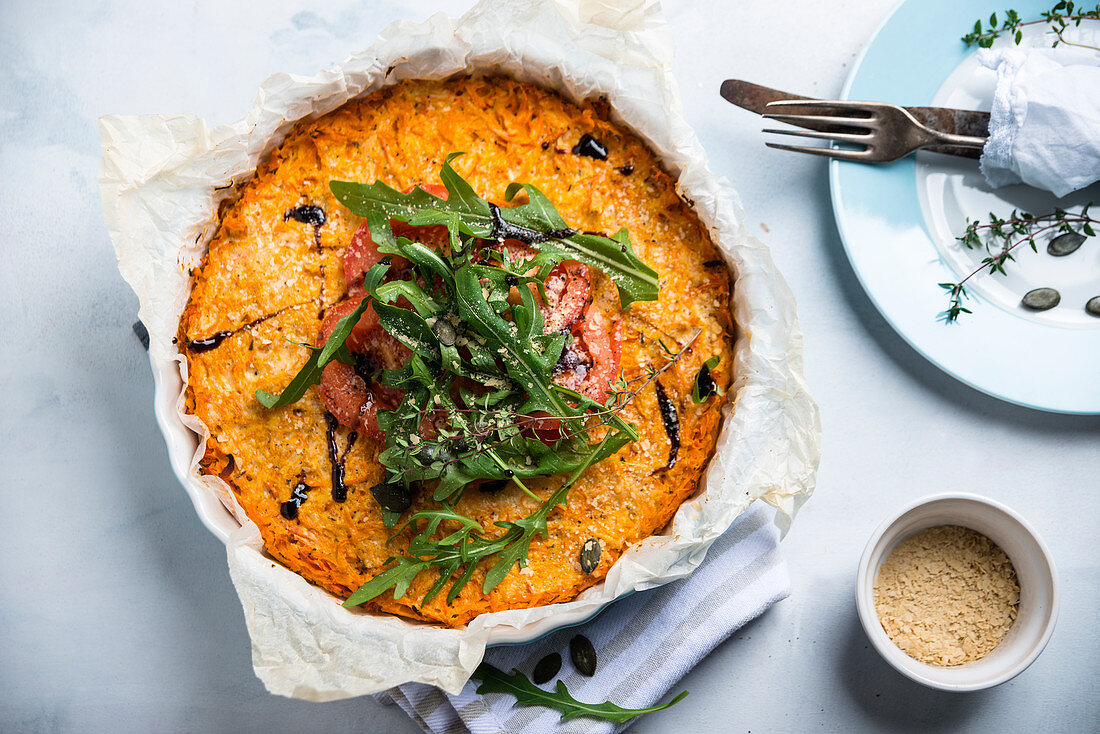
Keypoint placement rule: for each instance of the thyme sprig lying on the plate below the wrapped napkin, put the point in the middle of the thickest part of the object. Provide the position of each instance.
(1000, 237)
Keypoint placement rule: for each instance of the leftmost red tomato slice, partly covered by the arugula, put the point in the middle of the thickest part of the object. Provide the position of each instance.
(348, 392)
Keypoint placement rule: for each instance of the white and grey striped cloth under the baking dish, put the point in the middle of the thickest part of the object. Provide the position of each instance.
(645, 643)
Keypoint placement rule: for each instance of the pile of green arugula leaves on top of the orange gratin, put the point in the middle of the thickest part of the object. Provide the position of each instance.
(481, 370)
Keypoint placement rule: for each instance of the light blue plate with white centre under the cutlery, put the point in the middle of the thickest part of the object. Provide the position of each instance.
(1049, 361)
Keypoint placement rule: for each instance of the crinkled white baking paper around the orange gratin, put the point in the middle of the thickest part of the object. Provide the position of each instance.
(163, 178)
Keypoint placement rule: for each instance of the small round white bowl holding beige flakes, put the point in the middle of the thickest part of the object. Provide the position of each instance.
(1039, 589)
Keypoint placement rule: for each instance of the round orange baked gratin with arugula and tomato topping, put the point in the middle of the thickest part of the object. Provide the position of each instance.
(439, 392)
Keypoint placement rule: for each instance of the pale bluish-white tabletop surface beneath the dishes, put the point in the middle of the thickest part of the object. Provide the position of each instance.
(116, 608)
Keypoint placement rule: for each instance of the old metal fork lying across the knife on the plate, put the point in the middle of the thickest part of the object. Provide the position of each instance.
(886, 133)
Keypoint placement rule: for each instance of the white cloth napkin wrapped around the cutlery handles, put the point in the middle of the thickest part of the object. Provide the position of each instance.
(1044, 129)
